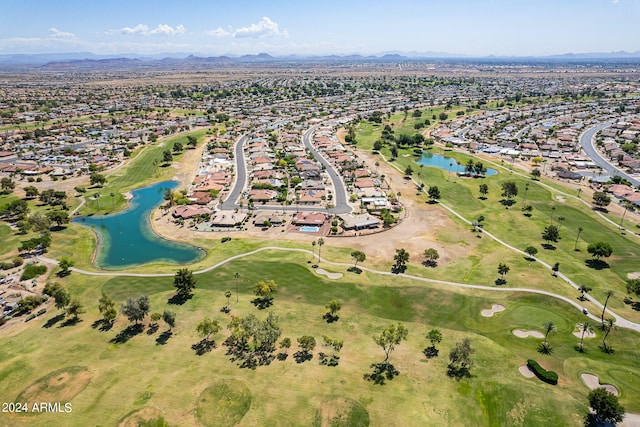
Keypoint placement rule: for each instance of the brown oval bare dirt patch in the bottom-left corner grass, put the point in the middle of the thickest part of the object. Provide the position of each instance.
(58, 386)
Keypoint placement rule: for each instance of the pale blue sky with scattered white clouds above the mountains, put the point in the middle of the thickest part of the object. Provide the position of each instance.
(213, 27)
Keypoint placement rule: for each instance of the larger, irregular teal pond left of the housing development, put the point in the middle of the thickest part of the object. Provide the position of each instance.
(126, 239)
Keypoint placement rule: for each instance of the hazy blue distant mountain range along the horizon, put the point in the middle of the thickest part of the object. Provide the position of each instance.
(90, 60)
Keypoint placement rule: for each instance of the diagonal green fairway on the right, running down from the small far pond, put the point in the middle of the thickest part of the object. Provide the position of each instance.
(549, 207)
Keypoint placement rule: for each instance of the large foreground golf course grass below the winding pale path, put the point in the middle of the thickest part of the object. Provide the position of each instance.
(143, 374)
